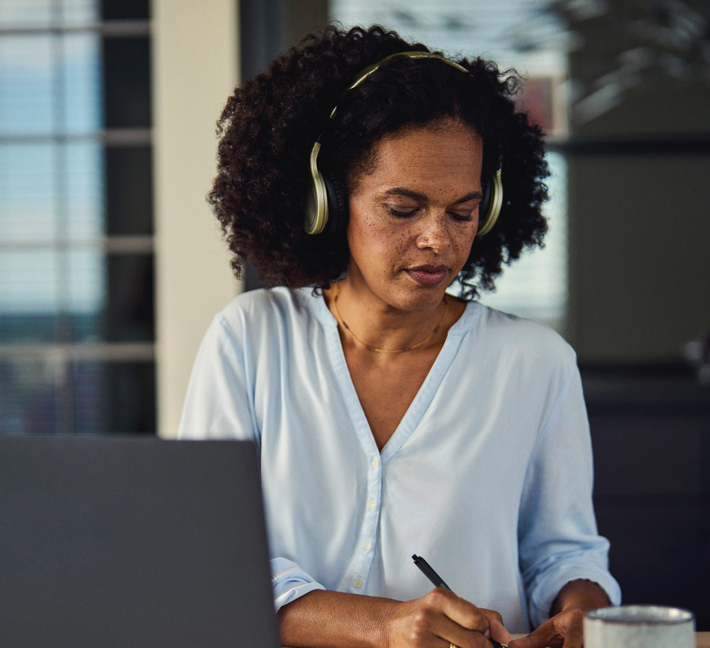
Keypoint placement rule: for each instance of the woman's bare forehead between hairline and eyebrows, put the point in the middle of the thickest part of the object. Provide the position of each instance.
(439, 157)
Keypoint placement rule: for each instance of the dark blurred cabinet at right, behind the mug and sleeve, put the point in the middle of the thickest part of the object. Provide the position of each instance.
(651, 437)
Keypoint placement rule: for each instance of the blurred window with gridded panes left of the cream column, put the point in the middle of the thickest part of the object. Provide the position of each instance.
(76, 244)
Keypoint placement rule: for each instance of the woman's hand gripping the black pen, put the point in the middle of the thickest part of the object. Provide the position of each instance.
(440, 619)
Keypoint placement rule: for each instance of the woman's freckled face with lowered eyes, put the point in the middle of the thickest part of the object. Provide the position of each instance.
(413, 218)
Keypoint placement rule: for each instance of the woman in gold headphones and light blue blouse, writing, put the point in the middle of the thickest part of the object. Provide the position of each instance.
(392, 418)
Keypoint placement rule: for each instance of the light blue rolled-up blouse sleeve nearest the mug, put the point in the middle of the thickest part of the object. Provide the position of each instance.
(558, 539)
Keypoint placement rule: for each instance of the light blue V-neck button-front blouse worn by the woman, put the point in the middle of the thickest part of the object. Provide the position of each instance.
(488, 475)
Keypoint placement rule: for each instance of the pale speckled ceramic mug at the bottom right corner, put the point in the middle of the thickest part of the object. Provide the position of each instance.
(639, 626)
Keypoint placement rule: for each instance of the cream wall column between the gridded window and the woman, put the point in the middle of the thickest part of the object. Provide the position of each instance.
(195, 69)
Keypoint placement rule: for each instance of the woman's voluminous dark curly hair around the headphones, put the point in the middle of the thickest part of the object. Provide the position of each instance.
(270, 123)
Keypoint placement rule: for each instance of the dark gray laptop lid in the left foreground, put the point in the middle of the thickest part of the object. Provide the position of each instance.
(131, 542)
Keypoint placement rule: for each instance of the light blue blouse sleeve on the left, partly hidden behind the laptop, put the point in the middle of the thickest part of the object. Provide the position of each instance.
(219, 405)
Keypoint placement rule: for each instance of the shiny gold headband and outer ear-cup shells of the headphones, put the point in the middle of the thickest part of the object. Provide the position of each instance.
(317, 204)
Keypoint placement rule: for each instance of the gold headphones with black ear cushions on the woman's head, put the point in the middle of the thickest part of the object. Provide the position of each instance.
(328, 201)
